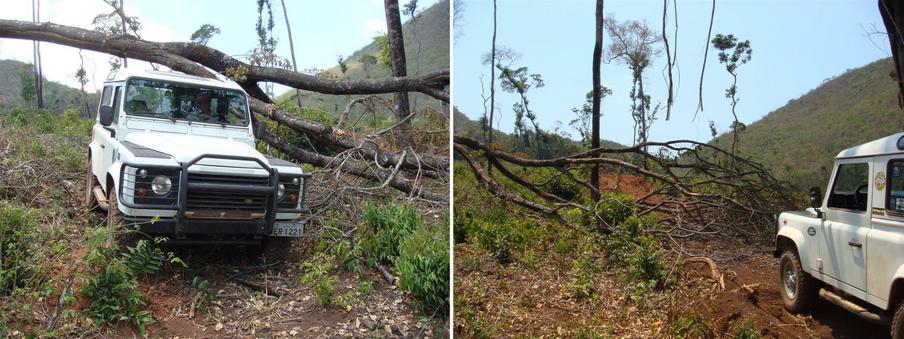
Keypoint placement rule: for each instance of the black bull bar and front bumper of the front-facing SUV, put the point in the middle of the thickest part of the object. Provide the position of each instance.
(181, 224)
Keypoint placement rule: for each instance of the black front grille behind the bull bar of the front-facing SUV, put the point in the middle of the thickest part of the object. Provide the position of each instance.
(225, 200)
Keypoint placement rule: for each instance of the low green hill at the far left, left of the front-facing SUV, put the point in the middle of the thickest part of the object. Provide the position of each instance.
(57, 97)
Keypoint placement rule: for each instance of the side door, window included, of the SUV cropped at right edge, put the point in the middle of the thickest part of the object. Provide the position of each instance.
(843, 240)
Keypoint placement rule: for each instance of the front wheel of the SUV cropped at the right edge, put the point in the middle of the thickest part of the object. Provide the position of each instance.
(799, 290)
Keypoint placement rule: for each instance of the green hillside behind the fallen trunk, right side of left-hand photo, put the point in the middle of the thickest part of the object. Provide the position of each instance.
(430, 28)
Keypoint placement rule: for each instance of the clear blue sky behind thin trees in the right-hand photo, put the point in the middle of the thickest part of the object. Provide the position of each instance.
(796, 45)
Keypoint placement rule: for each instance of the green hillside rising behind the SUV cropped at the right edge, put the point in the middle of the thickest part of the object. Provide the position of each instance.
(800, 140)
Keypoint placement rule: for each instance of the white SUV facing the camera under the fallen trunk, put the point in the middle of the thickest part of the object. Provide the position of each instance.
(174, 155)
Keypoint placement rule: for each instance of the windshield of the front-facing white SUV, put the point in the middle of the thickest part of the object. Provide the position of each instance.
(174, 101)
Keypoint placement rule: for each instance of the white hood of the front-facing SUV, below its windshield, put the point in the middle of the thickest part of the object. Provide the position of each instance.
(186, 148)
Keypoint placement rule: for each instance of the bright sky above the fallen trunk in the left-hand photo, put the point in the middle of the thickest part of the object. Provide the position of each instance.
(322, 29)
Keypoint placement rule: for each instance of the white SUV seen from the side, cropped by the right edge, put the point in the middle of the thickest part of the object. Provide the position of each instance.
(849, 247)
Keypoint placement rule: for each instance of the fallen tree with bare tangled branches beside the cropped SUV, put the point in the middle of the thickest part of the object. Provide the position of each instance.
(701, 190)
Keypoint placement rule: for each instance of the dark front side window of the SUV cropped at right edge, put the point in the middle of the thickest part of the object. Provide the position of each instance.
(851, 187)
